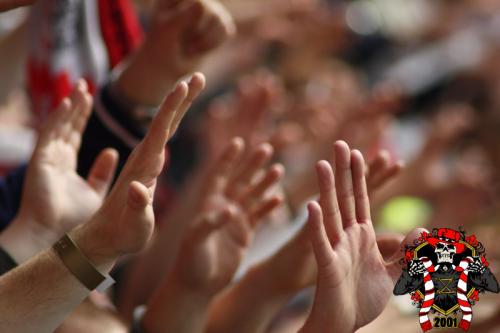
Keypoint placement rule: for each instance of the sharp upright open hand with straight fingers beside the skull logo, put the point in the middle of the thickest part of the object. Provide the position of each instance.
(354, 282)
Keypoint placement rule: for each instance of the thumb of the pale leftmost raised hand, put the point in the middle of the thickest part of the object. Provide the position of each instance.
(103, 170)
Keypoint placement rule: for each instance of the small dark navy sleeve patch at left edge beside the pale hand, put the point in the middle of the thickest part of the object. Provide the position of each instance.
(11, 188)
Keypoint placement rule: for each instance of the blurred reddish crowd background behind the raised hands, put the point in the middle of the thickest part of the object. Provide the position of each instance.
(417, 78)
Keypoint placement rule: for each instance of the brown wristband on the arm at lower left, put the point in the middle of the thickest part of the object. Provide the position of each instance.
(80, 266)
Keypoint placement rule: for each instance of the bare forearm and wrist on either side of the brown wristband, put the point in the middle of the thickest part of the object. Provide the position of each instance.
(38, 295)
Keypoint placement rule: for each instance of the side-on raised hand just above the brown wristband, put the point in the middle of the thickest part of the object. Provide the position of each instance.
(125, 221)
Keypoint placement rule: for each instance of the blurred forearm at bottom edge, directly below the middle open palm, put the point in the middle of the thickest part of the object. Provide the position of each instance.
(176, 309)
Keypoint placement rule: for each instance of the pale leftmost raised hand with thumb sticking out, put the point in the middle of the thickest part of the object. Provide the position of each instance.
(55, 198)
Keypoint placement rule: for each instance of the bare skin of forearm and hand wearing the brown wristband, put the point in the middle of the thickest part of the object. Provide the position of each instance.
(122, 225)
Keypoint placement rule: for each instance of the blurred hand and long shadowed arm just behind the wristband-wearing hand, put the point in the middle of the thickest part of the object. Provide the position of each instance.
(222, 183)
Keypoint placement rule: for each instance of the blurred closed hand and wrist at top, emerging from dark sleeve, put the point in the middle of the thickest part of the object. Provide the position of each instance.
(181, 33)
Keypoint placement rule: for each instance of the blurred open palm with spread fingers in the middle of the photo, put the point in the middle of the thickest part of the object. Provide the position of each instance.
(233, 202)
